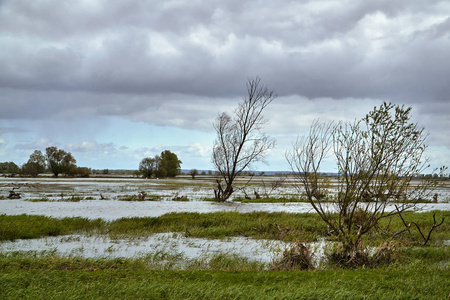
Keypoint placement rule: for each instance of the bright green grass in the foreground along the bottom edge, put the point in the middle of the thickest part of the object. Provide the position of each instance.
(51, 277)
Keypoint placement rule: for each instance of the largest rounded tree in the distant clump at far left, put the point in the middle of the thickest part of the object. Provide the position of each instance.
(60, 161)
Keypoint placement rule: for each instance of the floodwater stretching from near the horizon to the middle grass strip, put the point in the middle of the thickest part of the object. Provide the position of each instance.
(58, 192)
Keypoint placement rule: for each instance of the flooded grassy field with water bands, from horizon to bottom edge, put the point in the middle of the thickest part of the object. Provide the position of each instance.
(96, 237)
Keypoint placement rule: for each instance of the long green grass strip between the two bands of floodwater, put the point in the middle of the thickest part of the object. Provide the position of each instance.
(306, 227)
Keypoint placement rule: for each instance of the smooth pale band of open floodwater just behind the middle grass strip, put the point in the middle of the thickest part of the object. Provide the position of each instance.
(113, 209)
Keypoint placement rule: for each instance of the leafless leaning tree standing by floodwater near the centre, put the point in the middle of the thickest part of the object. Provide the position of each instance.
(240, 140)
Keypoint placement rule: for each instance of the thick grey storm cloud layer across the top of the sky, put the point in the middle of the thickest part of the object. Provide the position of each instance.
(310, 48)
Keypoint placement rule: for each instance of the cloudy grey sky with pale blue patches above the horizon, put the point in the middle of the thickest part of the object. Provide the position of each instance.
(113, 82)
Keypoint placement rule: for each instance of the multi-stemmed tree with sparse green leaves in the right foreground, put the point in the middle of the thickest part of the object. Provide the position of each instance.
(377, 158)
